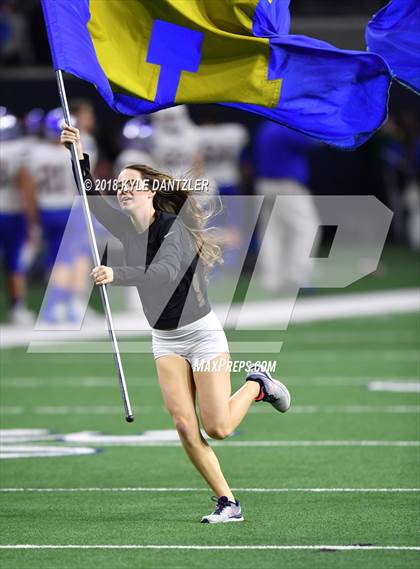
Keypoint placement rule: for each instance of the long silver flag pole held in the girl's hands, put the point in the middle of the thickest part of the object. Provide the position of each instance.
(129, 417)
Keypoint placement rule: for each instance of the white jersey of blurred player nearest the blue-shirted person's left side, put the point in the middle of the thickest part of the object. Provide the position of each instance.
(220, 146)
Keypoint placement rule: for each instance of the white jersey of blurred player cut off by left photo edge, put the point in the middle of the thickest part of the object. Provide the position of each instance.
(13, 154)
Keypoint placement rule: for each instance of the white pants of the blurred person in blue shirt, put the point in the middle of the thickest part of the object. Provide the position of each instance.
(288, 234)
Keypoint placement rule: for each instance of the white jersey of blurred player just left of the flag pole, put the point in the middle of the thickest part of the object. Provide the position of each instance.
(50, 166)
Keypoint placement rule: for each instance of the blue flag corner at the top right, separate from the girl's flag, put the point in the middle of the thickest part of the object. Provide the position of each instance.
(394, 33)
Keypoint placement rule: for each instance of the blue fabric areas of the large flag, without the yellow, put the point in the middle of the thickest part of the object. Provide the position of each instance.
(333, 95)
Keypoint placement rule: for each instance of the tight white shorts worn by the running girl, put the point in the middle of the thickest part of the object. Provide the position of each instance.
(198, 342)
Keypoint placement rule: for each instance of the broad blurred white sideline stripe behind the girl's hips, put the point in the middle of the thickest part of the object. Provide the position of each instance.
(251, 315)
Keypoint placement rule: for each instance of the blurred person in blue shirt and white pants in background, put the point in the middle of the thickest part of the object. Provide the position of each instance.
(282, 168)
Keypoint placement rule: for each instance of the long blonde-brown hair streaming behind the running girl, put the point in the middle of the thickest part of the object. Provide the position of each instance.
(184, 203)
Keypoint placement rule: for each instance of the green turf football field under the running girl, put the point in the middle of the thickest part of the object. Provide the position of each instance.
(334, 483)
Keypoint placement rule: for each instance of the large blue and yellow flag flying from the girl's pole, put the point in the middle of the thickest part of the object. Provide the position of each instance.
(146, 55)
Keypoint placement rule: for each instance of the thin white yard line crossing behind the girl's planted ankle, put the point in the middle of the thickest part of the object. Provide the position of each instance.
(253, 490)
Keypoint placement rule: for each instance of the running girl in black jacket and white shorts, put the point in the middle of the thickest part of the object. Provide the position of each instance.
(167, 253)
